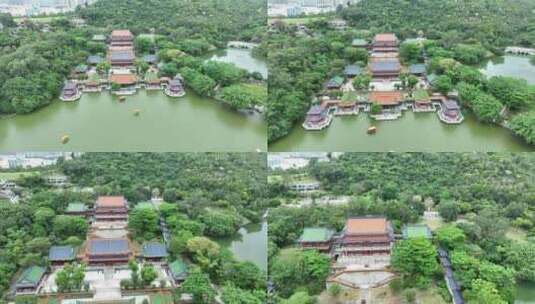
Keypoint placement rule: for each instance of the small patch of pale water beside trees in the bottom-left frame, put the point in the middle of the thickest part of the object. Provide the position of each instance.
(249, 244)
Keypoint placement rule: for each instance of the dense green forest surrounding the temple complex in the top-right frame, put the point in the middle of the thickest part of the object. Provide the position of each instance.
(458, 40)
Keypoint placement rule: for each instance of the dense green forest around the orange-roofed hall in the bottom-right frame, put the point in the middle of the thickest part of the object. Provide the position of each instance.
(486, 201)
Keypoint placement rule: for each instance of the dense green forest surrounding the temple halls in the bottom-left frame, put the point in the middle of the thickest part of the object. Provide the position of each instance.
(206, 196)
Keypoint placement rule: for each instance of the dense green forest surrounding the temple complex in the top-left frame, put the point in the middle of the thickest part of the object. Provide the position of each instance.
(36, 58)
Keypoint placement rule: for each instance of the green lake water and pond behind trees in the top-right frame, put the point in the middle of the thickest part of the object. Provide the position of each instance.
(416, 131)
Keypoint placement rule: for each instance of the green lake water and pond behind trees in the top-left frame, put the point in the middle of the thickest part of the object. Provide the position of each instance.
(99, 122)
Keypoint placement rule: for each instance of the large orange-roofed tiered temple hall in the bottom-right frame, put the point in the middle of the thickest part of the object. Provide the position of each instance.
(365, 236)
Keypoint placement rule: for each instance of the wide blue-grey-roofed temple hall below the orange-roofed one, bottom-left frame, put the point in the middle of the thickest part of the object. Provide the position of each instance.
(107, 251)
